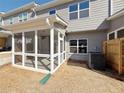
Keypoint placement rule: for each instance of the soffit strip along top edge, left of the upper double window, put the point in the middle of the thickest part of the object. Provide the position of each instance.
(52, 4)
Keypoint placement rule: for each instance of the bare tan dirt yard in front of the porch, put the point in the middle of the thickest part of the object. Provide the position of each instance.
(70, 78)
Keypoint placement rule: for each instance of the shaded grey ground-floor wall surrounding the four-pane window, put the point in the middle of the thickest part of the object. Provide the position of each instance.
(95, 41)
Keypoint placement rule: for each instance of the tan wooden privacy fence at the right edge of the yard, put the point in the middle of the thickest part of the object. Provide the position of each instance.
(114, 53)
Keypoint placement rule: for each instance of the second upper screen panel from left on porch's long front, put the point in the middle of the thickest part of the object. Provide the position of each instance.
(30, 42)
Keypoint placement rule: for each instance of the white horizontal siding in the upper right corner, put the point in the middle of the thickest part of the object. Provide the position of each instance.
(117, 5)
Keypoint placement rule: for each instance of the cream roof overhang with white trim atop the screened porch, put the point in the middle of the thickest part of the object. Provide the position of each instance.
(37, 22)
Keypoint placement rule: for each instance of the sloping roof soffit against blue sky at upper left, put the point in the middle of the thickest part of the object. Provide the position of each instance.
(22, 8)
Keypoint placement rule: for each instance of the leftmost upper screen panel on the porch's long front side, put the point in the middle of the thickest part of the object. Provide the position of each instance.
(18, 42)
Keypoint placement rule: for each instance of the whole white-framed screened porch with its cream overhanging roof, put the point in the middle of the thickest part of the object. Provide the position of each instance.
(40, 48)
